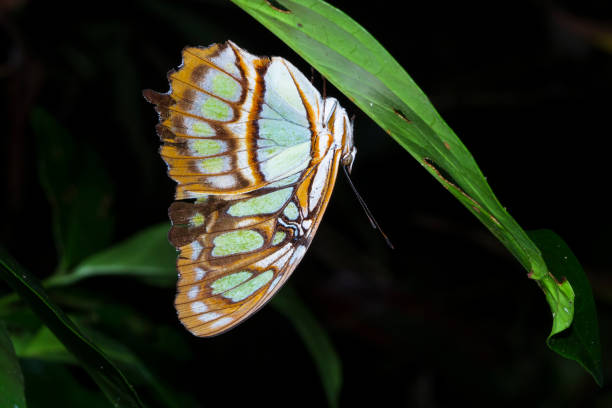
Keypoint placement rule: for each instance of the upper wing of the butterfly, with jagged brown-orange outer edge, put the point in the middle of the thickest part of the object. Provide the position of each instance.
(225, 129)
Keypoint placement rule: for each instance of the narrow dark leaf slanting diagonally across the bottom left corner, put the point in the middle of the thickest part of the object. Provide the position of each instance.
(110, 380)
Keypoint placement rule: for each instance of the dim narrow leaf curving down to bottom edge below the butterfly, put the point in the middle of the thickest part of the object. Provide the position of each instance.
(316, 340)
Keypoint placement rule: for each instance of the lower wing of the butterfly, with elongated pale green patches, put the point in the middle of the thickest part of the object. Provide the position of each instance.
(233, 263)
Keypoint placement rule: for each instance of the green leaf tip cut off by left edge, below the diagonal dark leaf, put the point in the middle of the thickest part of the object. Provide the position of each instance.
(12, 393)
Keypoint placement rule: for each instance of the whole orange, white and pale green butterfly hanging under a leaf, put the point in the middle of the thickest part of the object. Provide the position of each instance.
(254, 149)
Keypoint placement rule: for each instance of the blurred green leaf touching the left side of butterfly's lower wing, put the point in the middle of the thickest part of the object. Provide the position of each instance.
(147, 254)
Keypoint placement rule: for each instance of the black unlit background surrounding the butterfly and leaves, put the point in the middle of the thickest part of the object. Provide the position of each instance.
(448, 317)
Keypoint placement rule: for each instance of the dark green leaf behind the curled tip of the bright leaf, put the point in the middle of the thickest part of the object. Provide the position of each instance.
(581, 341)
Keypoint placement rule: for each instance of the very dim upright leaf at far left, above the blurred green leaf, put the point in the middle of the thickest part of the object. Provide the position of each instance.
(78, 188)
